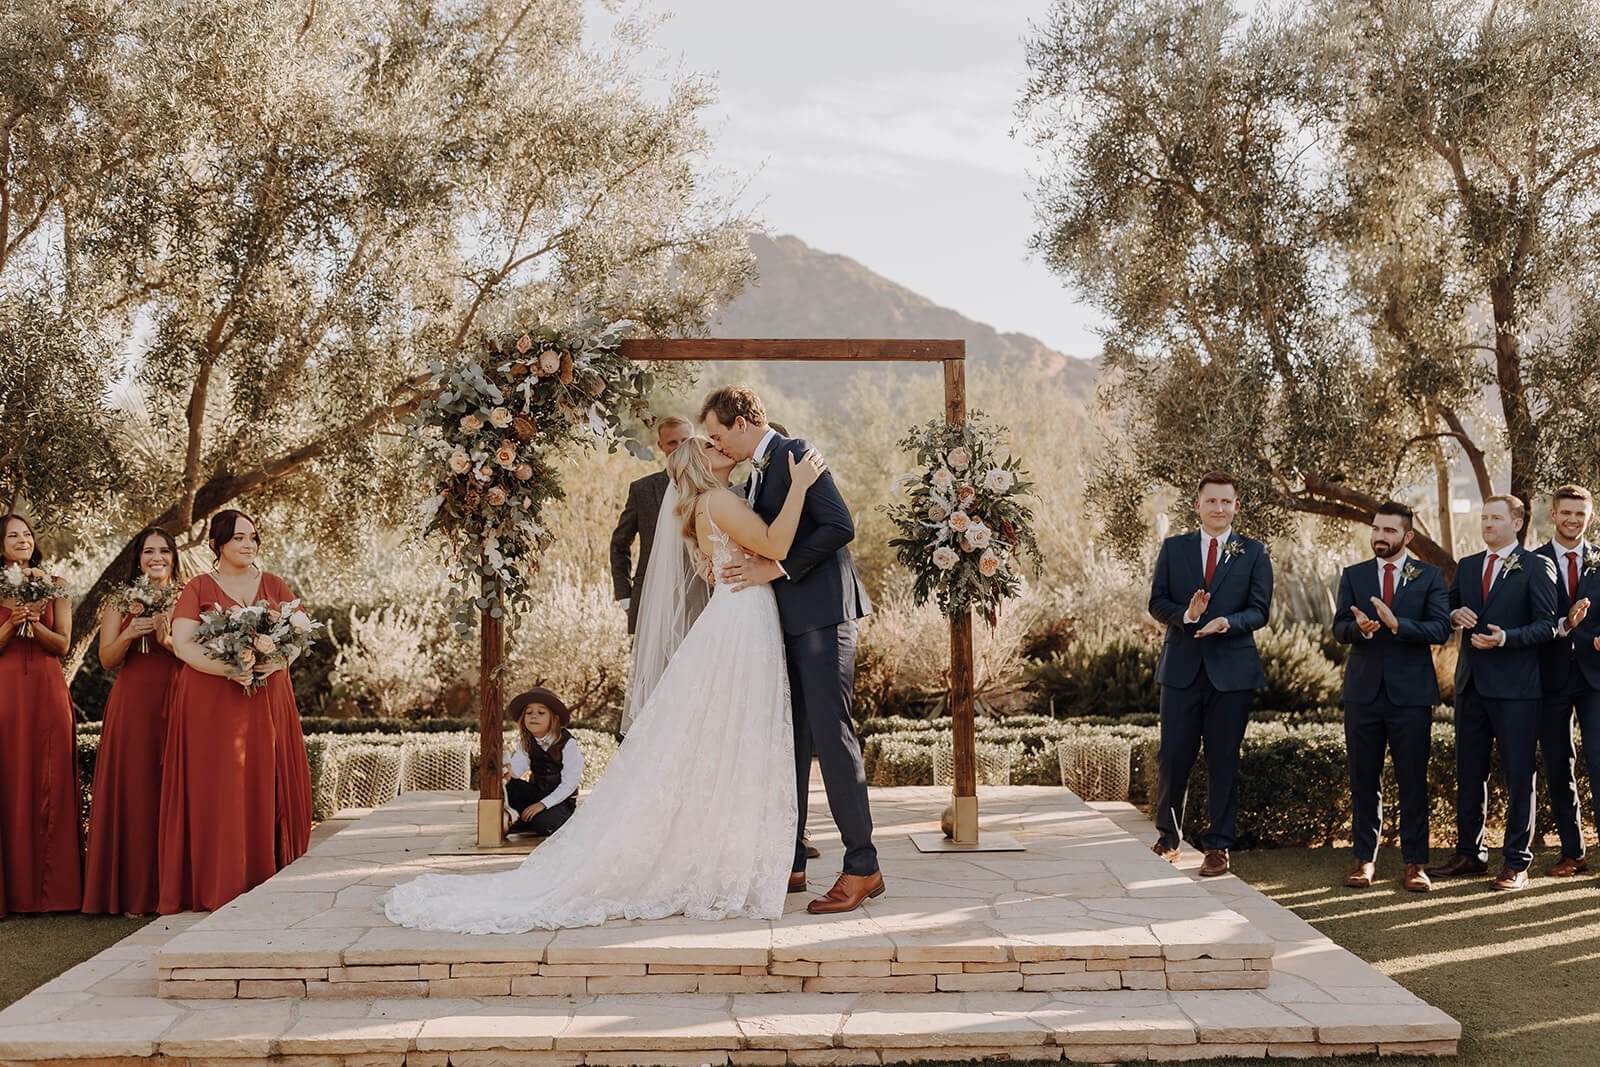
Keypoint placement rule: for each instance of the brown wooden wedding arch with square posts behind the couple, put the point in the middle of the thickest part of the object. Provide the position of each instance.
(953, 354)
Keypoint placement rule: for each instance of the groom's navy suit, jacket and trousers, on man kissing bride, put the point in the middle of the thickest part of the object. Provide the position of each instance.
(818, 607)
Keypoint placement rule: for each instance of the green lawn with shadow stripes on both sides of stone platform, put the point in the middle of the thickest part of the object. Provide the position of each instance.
(1521, 972)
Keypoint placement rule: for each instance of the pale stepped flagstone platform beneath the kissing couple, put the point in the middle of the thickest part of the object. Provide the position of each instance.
(969, 922)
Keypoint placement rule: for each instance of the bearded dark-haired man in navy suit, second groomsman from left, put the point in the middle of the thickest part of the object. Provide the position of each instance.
(1393, 610)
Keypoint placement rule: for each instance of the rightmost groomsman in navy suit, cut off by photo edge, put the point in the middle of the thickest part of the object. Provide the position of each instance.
(1572, 508)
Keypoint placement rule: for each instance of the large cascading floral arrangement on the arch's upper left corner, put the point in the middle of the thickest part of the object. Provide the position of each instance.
(494, 428)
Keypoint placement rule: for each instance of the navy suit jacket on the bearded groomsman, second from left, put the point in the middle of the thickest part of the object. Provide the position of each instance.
(1402, 663)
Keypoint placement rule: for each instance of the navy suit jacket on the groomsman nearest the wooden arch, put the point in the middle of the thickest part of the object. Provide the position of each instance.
(1241, 591)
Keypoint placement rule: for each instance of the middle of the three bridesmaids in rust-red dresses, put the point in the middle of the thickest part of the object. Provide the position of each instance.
(127, 801)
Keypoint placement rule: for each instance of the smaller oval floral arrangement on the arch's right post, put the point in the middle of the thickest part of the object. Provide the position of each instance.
(966, 519)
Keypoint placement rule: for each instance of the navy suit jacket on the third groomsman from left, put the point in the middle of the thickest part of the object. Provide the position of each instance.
(1522, 604)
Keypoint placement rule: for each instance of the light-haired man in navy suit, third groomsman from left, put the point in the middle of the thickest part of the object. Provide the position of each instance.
(1505, 605)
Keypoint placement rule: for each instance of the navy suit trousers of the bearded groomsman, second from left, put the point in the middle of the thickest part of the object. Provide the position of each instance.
(1404, 732)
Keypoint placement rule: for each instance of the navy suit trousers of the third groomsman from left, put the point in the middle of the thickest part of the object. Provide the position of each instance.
(1482, 727)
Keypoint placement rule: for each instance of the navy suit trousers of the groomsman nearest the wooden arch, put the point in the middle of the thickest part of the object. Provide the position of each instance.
(1191, 716)
